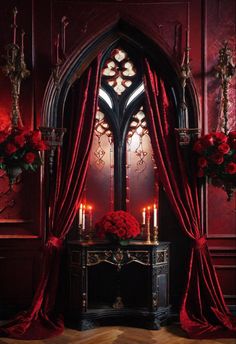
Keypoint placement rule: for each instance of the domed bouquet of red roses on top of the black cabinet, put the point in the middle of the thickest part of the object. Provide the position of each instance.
(117, 225)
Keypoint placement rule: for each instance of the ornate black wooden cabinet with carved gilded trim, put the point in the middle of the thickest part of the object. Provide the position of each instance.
(114, 284)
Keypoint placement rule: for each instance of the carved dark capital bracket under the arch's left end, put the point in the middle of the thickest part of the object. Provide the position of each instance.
(53, 138)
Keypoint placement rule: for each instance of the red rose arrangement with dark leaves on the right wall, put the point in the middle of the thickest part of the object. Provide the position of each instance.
(217, 159)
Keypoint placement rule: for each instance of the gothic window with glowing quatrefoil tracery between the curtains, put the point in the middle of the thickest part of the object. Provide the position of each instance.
(122, 170)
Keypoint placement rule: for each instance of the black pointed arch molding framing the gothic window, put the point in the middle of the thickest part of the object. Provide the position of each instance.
(77, 62)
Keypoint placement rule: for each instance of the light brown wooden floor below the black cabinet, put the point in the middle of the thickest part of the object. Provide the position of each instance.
(122, 335)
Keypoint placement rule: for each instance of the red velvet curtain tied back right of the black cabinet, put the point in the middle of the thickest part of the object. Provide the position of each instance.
(204, 313)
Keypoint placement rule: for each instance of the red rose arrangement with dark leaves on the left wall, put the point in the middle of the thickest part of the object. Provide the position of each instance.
(20, 150)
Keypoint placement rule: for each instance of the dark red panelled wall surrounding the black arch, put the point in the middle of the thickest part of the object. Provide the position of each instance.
(22, 220)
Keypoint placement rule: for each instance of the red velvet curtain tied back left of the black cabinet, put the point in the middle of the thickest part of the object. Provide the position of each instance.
(40, 321)
